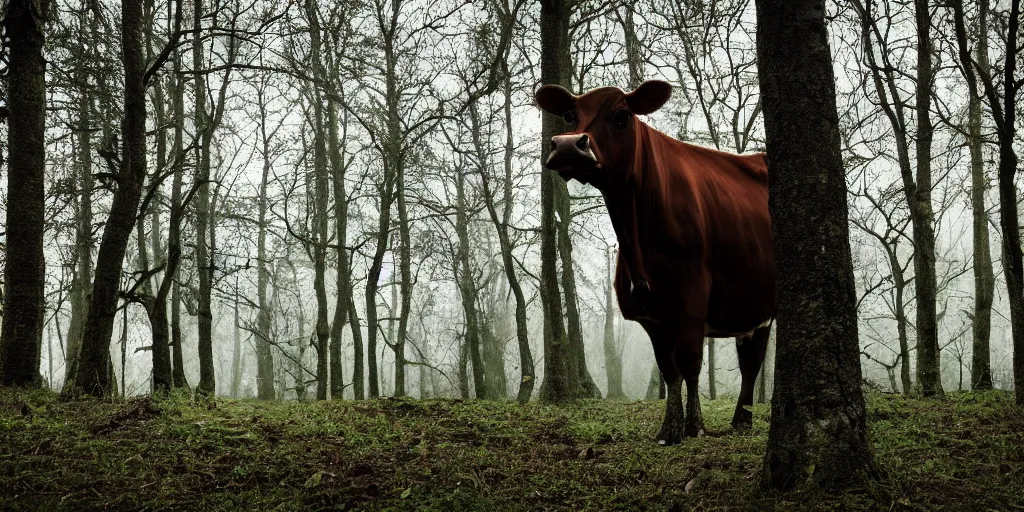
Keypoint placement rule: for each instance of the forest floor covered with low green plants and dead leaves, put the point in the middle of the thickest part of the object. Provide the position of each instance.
(962, 453)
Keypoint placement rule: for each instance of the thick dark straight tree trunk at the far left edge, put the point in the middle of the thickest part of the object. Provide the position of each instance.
(25, 274)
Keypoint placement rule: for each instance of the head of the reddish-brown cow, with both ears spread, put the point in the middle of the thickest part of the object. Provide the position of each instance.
(603, 124)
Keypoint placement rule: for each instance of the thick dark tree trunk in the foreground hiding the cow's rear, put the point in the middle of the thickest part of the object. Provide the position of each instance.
(819, 425)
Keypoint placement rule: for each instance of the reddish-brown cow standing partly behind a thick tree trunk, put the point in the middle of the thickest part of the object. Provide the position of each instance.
(695, 234)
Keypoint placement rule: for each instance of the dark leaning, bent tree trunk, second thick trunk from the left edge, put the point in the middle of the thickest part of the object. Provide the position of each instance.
(95, 365)
